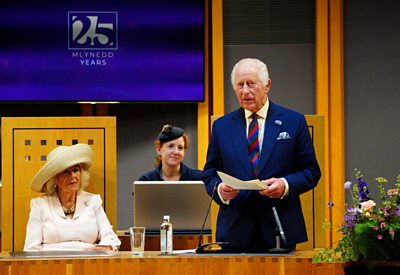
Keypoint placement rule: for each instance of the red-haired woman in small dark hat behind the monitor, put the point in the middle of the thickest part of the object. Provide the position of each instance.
(171, 146)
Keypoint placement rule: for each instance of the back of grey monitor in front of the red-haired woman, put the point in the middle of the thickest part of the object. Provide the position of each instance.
(186, 203)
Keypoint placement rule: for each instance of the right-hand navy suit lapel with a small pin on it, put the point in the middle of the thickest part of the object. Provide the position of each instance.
(271, 132)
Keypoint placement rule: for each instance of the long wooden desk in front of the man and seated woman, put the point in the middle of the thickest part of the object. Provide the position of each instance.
(152, 264)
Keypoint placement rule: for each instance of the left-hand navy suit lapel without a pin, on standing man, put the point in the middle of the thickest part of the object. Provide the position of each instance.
(240, 141)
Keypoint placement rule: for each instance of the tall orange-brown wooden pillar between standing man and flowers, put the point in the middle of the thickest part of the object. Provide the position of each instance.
(330, 101)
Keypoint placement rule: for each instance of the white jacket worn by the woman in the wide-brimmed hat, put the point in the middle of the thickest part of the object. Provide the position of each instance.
(49, 228)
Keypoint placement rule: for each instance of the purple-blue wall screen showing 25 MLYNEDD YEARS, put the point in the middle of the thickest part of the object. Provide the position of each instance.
(95, 50)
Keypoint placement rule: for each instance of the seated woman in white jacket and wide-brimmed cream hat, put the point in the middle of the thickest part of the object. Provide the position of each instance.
(66, 217)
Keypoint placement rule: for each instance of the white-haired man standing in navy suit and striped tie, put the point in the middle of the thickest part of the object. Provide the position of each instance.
(285, 161)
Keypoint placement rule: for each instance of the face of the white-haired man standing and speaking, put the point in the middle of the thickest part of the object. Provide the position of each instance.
(250, 90)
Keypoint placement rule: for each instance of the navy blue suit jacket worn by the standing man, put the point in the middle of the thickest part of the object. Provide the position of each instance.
(292, 157)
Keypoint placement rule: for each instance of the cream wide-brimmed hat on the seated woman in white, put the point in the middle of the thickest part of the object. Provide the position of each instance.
(59, 159)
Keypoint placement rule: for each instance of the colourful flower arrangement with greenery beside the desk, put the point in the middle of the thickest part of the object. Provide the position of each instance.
(371, 230)
